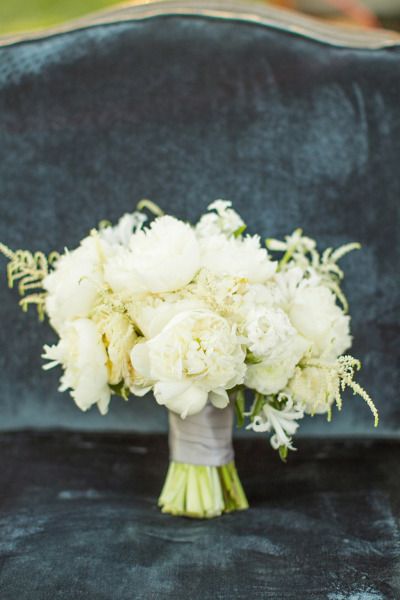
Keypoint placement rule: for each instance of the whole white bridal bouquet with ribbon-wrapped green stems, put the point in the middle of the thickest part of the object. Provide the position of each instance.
(208, 321)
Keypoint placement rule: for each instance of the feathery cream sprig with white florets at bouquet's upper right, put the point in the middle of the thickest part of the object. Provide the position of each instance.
(301, 251)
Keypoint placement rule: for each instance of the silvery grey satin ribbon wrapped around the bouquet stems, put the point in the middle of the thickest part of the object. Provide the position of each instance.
(204, 438)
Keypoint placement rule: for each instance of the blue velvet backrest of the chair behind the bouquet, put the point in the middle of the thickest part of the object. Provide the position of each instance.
(184, 110)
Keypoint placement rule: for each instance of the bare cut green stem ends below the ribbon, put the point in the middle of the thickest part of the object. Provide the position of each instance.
(202, 492)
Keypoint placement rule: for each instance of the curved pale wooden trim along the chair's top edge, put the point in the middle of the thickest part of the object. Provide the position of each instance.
(243, 10)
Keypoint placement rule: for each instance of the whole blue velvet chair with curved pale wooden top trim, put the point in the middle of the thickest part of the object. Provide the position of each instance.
(299, 125)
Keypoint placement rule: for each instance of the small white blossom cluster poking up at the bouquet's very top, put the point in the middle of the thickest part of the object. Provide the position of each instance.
(224, 220)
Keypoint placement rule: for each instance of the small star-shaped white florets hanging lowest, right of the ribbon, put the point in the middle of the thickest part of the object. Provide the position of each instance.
(279, 415)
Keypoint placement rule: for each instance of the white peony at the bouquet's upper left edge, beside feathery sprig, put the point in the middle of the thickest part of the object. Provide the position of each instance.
(75, 283)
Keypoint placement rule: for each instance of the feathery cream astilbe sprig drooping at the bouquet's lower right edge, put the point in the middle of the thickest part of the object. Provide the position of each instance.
(341, 375)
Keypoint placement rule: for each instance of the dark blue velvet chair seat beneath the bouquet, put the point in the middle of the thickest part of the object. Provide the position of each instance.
(79, 521)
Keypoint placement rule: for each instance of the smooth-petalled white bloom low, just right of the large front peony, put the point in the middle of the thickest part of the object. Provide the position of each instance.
(271, 375)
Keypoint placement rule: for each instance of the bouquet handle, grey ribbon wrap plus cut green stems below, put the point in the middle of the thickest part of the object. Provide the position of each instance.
(208, 485)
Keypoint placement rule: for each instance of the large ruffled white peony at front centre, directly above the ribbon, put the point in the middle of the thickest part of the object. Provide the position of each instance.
(196, 356)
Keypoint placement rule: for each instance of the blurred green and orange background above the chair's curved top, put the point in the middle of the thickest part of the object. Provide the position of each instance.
(27, 15)
